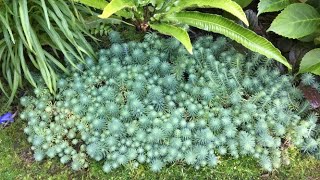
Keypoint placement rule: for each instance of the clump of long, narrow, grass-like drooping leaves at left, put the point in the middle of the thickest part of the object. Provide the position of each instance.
(33, 34)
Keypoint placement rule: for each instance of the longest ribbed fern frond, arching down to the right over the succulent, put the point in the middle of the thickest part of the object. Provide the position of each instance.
(221, 25)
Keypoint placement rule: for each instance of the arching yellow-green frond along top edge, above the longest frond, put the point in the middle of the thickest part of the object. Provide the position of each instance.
(226, 5)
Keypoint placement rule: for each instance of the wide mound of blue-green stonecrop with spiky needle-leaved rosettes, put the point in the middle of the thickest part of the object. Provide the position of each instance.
(151, 102)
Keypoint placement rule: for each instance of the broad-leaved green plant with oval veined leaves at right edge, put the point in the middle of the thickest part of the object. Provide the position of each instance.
(297, 20)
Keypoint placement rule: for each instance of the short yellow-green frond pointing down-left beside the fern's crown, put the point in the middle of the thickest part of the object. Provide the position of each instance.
(115, 6)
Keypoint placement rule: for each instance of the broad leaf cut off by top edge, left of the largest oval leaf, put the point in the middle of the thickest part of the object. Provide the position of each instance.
(272, 5)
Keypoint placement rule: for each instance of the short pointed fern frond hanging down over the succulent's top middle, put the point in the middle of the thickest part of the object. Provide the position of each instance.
(176, 32)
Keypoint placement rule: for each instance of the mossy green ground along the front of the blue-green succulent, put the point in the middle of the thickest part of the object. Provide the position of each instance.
(16, 162)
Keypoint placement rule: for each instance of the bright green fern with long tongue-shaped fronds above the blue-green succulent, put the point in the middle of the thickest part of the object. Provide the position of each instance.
(171, 17)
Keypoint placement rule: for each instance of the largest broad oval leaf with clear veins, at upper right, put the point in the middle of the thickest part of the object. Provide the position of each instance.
(296, 21)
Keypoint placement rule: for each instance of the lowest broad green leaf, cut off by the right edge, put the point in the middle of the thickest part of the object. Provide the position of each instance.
(311, 62)
